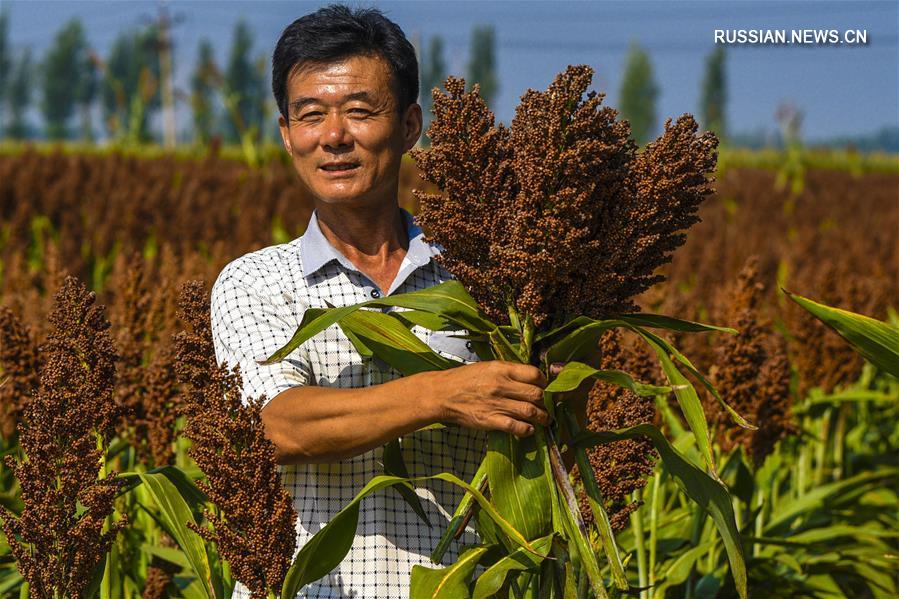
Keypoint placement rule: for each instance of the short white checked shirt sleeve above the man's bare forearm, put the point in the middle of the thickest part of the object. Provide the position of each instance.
(249, 324)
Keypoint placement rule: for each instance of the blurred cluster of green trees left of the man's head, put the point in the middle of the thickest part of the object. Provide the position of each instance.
(130, 85)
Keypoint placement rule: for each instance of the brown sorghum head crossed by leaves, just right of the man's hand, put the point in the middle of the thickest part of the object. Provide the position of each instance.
(623, 466)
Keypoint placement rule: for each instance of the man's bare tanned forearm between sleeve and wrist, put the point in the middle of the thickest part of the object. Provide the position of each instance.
(323, 424)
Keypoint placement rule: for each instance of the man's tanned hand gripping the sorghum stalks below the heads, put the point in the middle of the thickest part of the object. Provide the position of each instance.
(493, 395)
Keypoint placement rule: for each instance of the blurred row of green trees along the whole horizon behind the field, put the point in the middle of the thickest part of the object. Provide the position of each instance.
(133, 83)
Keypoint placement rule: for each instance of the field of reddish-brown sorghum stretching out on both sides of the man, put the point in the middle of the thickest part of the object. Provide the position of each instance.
(108, 377)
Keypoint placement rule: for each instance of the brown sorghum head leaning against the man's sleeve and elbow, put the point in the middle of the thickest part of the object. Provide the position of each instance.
(255, 531)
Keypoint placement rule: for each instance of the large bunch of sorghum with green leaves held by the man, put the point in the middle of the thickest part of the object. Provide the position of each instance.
(552, 227)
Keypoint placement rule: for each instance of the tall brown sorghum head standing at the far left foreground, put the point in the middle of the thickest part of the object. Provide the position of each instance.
(58, 539)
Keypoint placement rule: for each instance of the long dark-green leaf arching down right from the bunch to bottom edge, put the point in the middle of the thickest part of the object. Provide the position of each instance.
(707, 492)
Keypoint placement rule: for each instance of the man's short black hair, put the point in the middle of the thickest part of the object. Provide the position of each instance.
(336, 32)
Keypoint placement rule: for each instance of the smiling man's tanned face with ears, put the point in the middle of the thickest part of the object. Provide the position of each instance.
(345, 134)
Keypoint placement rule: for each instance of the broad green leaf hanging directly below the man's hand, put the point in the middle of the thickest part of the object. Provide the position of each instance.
(517, 484)
